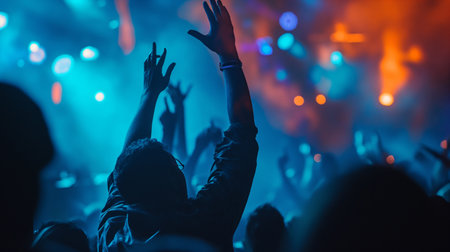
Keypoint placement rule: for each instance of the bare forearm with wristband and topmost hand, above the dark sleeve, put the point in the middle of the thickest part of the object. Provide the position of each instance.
(221, 40)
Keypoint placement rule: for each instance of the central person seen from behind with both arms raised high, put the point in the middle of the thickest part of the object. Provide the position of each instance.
(147, 191)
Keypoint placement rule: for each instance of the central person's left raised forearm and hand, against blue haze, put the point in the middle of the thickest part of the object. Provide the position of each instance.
(154, 83)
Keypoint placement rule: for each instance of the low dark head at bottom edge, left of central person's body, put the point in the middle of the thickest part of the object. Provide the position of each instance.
(60, 236)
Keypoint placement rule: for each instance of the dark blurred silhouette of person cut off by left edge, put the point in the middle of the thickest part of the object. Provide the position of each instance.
(25, 149)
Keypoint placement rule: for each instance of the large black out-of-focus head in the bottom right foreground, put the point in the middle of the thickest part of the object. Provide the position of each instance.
(372, 209)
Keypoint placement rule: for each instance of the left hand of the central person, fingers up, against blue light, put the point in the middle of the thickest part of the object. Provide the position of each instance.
(154, 80)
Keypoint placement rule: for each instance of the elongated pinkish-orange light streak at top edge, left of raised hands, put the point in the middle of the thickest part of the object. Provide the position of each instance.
(126, 29)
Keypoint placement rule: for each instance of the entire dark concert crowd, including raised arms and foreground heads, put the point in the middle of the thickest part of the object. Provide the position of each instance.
(156, 203)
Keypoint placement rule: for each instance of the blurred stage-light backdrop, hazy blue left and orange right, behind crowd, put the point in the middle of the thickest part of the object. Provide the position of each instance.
(328, 78)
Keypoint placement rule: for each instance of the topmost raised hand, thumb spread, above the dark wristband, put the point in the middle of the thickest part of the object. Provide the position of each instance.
(220, 38)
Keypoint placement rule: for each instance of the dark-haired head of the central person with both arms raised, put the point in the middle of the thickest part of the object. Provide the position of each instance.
(147, 175)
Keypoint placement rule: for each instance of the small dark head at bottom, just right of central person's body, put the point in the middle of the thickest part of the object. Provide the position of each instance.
(265, 229)
